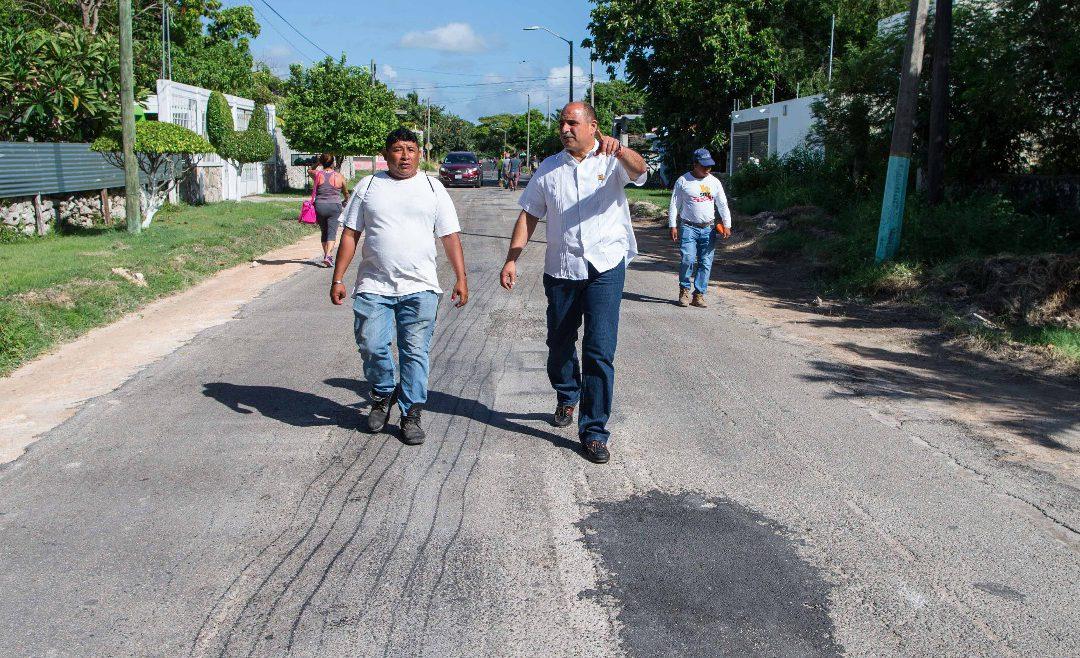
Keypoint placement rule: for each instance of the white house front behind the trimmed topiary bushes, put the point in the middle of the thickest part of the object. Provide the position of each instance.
(215, 180)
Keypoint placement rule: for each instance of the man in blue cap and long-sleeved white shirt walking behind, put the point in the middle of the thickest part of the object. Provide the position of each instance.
(697, 199)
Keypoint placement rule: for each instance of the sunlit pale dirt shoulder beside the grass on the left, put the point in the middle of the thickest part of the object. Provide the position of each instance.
(49, 391)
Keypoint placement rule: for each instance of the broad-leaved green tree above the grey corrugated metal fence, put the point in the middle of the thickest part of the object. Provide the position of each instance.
(59, 87)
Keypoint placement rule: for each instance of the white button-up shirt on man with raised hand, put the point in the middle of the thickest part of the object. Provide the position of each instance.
(587, 212)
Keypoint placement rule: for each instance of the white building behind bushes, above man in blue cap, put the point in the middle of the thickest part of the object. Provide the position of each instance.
(771, 130)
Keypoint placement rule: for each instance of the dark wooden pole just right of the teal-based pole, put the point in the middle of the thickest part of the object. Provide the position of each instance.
(939, 102)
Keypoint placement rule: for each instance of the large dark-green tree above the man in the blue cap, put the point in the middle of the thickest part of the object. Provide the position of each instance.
(694, 59)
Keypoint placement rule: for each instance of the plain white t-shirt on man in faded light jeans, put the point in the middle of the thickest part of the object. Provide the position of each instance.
(400, 220)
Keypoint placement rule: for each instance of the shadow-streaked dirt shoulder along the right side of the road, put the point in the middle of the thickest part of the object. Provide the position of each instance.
(898, 360)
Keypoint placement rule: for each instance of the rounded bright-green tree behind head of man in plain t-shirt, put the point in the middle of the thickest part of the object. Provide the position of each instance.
(332, 108)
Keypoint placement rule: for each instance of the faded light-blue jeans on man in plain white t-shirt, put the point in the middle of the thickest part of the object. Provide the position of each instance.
(412, 319)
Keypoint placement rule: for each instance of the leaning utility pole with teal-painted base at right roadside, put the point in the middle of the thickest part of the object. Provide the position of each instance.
(900, 152)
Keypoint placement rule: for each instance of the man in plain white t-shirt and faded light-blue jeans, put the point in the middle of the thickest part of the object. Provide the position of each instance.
(397, 293)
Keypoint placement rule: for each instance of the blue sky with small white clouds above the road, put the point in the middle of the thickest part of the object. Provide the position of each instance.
(471, 57)
